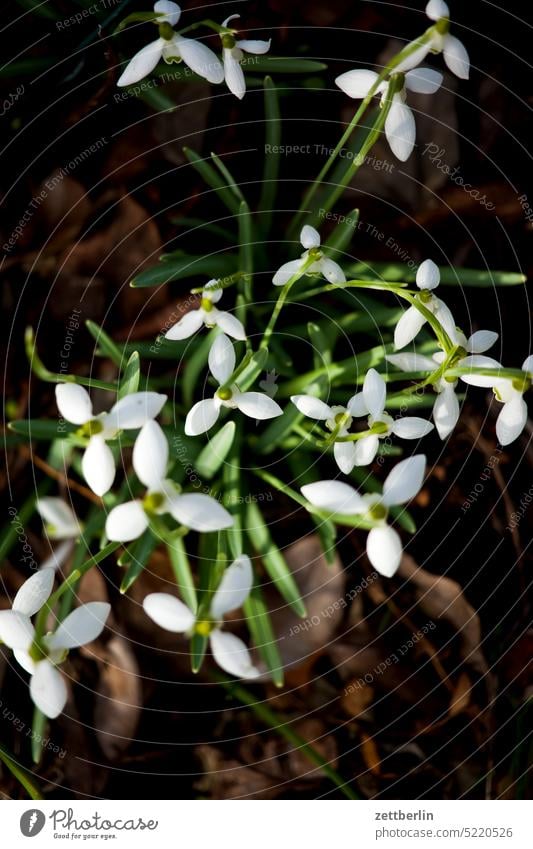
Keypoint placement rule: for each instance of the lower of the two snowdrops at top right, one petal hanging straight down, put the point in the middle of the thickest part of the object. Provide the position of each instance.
(400, 128)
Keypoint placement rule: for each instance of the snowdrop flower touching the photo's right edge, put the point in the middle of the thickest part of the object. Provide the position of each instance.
(513, 415)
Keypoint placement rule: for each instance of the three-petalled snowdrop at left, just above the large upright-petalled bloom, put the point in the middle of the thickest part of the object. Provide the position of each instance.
(130, 413)
